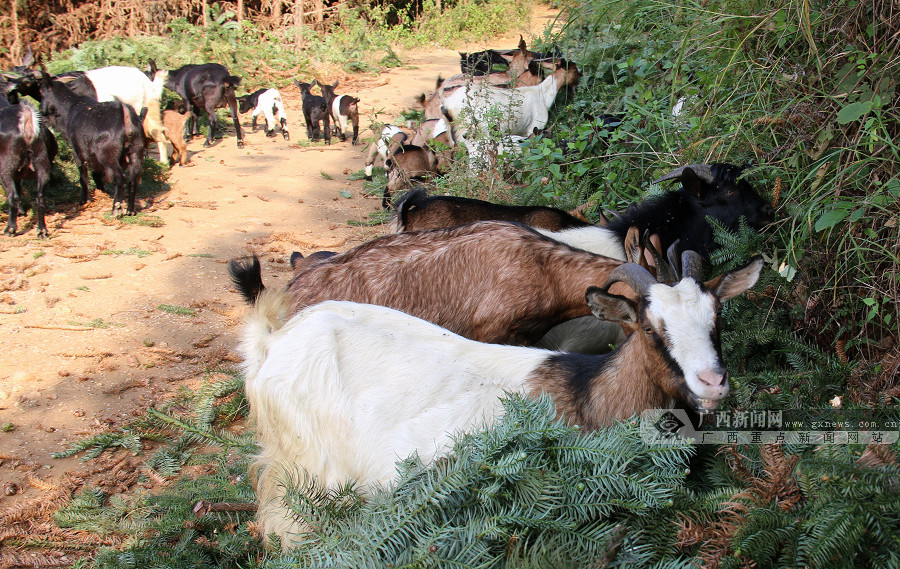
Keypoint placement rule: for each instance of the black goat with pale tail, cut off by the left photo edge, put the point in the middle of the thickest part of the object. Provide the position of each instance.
(27, 148)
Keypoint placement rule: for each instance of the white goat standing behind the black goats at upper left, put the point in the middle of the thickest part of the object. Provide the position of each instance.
(132, 87)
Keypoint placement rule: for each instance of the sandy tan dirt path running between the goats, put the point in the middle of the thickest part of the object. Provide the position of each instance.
(103, 319)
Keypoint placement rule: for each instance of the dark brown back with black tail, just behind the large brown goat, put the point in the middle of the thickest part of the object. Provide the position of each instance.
(417, 210)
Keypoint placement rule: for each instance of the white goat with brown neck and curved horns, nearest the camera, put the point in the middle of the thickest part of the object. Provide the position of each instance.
(343, 390)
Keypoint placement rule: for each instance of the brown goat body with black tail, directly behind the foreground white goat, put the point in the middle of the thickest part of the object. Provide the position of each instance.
(490, 281)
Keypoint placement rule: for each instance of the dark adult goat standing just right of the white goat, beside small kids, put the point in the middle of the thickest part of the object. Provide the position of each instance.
(205, 87)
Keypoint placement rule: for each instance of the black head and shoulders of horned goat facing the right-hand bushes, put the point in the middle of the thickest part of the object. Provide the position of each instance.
(712, 190)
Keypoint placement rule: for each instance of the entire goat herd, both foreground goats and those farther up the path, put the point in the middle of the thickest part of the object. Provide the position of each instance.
(388, 349)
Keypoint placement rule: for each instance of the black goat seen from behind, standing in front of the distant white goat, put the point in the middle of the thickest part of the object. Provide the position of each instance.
(107, 139)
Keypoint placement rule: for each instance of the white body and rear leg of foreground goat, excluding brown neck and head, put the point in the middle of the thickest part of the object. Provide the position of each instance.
(344, 390)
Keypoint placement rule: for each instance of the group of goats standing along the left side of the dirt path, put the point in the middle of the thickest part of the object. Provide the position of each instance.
(108, 115)
